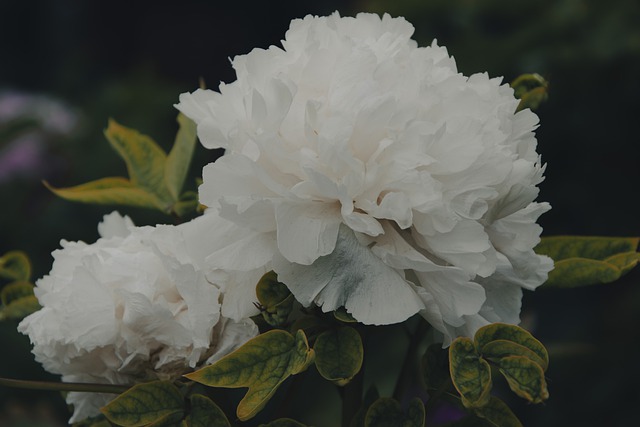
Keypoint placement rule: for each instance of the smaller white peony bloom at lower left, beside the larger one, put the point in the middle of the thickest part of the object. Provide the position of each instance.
(133, 306)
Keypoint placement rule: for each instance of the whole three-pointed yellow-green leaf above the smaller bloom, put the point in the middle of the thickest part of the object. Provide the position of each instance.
(155, 179)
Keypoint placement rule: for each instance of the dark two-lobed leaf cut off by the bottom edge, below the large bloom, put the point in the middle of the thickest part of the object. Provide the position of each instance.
(387, 412)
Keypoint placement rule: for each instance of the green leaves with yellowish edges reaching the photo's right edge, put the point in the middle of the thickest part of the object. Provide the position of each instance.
(581, 261)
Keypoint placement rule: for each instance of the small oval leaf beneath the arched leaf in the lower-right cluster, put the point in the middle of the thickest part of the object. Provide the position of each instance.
(525, 378)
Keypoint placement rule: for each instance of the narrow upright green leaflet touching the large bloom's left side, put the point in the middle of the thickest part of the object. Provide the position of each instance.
(179, 159)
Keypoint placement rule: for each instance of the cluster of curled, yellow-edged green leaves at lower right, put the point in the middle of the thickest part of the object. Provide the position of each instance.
(521, 359)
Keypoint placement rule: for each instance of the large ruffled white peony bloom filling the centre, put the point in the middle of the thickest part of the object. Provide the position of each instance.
(370, 174)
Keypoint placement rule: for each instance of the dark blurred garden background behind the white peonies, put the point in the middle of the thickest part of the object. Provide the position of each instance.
(74, 64)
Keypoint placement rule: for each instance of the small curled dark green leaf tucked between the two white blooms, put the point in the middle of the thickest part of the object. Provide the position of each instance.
(276, 301)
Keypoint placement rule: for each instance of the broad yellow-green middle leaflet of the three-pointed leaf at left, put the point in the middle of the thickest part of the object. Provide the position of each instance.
(145, 160)
